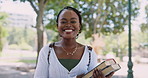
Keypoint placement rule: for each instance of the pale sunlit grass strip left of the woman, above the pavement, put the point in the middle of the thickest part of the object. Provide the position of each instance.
(14, 56)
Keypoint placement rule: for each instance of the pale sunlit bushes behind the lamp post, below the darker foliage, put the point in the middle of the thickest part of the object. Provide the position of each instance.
(118, 44)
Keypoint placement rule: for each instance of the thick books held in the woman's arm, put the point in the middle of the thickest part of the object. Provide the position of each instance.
(108, 66)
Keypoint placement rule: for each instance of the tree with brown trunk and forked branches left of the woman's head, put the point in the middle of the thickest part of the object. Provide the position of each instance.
(41, 8)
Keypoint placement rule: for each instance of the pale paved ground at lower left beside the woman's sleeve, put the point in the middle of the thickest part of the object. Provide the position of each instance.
(16, 70)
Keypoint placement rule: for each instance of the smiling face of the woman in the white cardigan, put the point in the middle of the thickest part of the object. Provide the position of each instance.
(68, 24)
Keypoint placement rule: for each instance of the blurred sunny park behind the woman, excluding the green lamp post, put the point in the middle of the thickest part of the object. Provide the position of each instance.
(27, 25)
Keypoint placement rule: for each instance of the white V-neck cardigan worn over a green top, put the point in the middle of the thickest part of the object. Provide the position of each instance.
(56, 70)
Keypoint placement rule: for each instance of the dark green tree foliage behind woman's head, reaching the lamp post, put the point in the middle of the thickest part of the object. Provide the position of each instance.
(99, 16)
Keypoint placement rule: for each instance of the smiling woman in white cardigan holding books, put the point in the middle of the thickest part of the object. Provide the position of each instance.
(67, 58)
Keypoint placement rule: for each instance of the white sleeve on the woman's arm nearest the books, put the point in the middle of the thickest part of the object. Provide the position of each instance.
(93, 60)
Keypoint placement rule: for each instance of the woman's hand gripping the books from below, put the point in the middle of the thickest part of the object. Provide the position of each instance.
(98, 74)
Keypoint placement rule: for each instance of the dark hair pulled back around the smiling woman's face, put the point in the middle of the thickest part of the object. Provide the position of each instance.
(76, 11)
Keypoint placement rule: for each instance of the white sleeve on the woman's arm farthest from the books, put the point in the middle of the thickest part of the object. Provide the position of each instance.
(42, 65)
